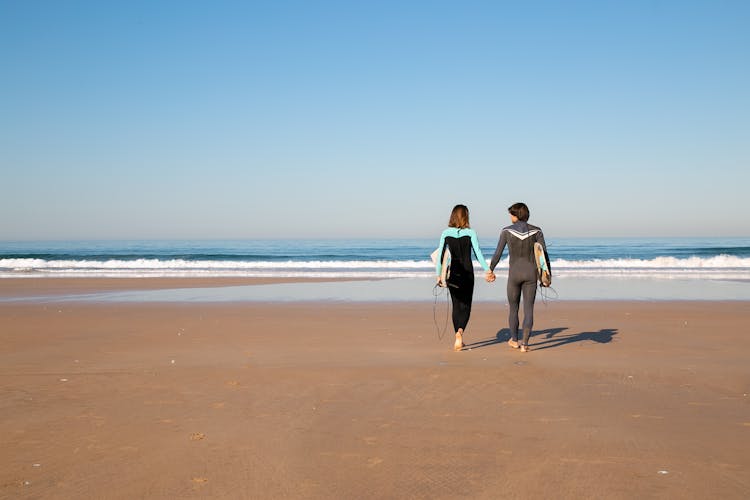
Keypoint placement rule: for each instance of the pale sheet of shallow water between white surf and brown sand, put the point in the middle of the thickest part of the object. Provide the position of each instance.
(422, 289)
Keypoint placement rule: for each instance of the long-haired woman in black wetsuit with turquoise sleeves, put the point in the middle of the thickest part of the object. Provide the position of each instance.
(460, 240)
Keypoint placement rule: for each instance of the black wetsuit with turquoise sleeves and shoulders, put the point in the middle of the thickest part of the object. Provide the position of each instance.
(460, 242)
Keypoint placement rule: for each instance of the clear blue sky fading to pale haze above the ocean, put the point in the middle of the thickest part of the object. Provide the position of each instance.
(154, 119)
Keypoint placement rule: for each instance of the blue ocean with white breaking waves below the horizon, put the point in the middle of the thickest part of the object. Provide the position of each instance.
(701, 258)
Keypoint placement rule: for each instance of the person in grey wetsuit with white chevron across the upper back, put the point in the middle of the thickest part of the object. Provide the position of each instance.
(520, 237)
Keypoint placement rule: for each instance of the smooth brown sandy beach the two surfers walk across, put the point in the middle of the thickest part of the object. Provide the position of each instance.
(617, 399)
